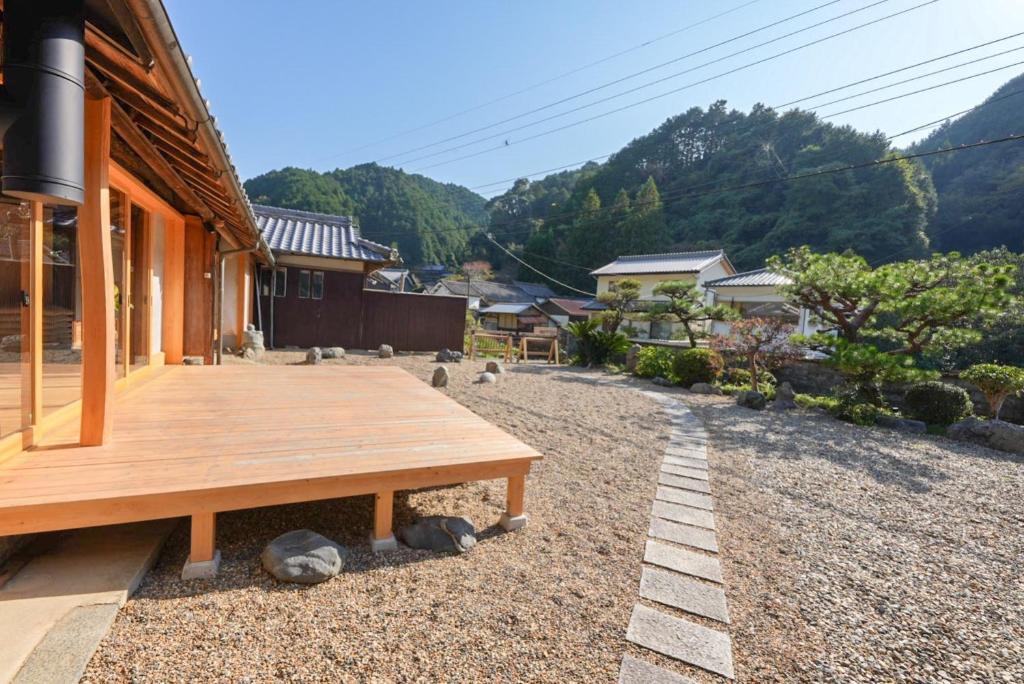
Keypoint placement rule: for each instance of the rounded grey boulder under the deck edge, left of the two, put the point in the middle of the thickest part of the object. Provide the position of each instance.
(305, 558)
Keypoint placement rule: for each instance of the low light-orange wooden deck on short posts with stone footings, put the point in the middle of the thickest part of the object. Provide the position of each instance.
(197, 441)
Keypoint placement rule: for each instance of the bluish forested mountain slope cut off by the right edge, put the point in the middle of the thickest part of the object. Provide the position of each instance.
(982, 192)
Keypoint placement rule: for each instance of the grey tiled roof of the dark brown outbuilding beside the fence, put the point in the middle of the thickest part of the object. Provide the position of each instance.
(307, 233)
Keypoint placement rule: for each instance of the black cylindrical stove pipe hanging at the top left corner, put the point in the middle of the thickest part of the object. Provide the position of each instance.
(42, 101)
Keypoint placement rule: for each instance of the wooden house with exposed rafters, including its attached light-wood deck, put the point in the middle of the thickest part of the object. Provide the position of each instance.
(135, 245)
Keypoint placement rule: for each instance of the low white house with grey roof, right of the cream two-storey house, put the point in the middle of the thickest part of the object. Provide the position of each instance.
(755, 294)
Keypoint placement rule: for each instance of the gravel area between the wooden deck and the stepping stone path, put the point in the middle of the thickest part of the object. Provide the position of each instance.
(548, 604)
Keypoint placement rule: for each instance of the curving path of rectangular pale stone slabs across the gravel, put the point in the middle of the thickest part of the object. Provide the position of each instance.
(681, 572)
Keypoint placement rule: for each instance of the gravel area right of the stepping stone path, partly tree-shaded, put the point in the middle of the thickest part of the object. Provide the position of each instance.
(864, 555)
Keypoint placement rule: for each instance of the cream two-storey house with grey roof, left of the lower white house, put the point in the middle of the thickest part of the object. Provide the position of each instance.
(651, 270)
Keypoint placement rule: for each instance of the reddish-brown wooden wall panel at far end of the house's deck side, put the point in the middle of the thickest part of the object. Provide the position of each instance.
(199, 290)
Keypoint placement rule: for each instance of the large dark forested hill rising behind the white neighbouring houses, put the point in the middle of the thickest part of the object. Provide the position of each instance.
(668, 191)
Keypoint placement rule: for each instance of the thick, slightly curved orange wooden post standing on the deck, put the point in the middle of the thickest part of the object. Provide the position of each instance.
(98, 279)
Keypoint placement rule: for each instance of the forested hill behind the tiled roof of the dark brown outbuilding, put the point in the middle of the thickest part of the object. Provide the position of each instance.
(431, 223)
